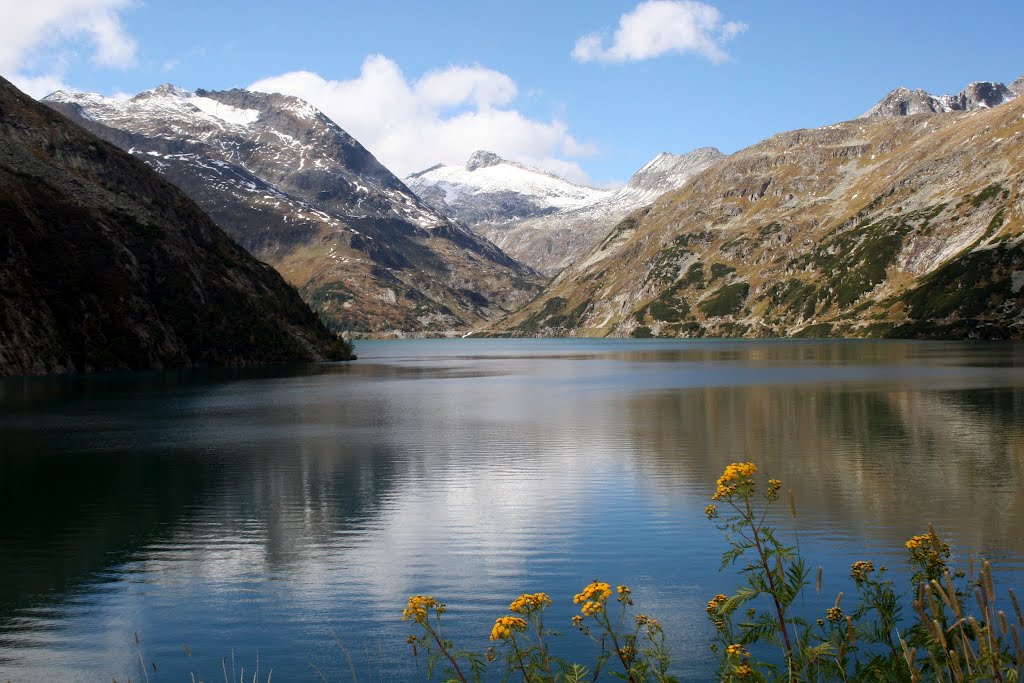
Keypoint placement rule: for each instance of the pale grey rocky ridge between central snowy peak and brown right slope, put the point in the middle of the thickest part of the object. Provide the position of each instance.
(553, 241)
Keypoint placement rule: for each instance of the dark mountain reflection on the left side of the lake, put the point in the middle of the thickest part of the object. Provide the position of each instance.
(94, 479)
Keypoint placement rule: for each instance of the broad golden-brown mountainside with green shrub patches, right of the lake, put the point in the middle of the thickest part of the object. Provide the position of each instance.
(894, 227)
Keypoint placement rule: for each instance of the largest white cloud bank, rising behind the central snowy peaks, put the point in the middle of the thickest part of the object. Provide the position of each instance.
(443, 117)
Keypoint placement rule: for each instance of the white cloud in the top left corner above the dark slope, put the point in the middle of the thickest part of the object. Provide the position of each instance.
(38, 40)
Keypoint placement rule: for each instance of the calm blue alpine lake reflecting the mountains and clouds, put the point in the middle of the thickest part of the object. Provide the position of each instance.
(286, 515)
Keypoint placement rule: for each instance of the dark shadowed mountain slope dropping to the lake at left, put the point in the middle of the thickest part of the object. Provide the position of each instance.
(106, 266)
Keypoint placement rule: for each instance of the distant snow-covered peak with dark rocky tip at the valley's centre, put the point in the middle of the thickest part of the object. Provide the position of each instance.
(492, 190)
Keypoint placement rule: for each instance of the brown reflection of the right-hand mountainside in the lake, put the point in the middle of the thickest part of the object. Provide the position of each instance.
(886, 462)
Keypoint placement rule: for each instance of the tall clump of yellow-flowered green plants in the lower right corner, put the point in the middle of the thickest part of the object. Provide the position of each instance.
(871, 643)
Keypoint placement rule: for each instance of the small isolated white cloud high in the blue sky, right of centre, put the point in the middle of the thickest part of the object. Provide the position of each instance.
(662, 27)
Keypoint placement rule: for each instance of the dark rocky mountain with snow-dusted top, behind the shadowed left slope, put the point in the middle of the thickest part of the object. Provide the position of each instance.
(304, 196)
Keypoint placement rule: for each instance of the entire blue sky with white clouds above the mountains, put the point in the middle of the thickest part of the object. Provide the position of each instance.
(426, 82)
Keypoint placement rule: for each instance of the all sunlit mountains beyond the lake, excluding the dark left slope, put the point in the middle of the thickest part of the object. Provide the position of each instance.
(906, 223)
